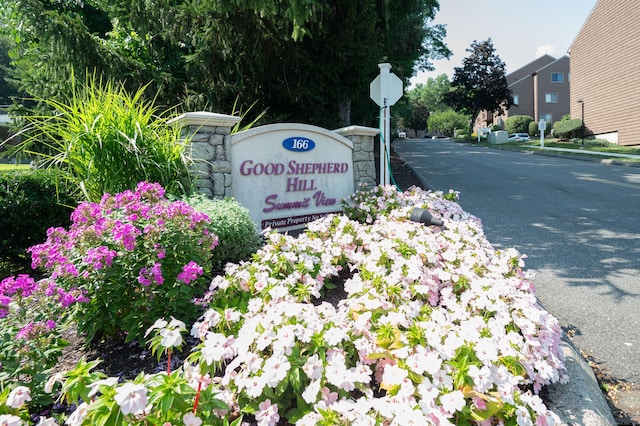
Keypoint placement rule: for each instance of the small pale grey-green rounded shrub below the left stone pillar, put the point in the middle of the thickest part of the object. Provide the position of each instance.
(231, 222)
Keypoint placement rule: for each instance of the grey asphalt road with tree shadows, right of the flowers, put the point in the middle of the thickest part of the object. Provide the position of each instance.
(577, 221)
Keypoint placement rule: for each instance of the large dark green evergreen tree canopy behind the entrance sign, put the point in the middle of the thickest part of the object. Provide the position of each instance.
(303, 60)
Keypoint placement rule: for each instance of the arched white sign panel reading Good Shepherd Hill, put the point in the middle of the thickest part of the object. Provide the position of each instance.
(288, 175)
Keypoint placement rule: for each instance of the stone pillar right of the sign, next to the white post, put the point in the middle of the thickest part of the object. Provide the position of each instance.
(364, 166)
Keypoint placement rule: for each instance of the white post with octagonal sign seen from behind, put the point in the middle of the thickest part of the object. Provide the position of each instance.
(385, 90)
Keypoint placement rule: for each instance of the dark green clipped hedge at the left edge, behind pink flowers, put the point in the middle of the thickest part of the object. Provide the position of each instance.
(30, 202)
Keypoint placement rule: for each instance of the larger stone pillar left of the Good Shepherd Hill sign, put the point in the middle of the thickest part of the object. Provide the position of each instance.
(209, 139)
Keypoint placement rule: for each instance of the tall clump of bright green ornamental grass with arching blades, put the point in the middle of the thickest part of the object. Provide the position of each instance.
(108, 140)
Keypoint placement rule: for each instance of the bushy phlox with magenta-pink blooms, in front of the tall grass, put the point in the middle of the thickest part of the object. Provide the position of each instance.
(138, 257)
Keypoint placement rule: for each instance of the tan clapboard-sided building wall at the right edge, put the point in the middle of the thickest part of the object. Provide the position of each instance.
(605, 70)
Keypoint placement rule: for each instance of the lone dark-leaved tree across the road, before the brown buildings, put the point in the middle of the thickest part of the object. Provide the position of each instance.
(480, 83)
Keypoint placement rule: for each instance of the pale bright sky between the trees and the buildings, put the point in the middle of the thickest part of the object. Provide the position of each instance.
(521, 30)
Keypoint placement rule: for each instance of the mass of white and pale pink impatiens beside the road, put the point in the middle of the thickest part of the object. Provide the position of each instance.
(432, 326)
